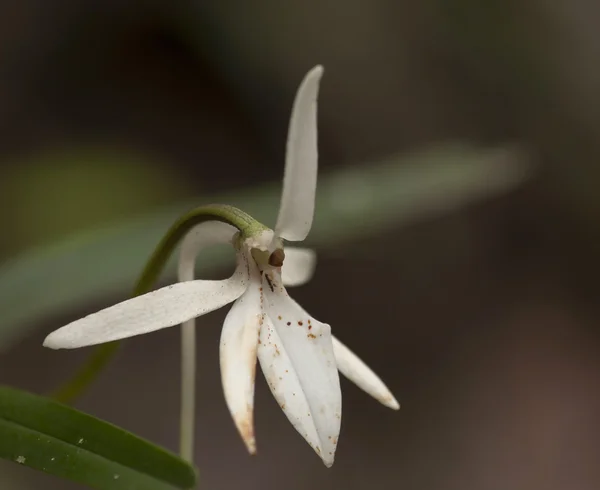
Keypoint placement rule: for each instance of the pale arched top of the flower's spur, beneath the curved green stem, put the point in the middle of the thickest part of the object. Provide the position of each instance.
(201, 236)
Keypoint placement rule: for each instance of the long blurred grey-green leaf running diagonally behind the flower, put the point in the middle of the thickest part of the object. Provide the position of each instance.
(353, 202)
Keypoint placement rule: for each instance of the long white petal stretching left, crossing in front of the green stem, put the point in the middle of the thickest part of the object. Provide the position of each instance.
(158, 309)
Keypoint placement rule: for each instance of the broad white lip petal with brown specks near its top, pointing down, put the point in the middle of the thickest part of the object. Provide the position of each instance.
(296, 356)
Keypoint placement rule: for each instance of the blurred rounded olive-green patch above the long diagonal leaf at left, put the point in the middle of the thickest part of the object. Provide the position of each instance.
(76, 184)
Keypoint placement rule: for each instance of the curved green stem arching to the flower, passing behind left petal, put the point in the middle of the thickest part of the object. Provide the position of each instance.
(102, 354)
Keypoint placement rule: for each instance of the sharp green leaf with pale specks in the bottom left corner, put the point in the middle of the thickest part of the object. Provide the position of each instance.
(47, 436)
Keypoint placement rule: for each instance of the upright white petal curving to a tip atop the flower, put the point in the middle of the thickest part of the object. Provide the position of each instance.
(300, 177)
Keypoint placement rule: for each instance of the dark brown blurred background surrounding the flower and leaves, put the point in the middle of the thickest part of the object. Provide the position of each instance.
(483, 322)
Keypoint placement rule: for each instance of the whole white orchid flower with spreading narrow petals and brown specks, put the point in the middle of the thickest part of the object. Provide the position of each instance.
(298, 355)
